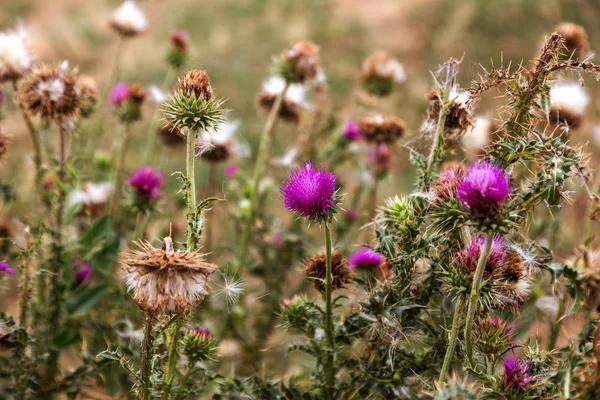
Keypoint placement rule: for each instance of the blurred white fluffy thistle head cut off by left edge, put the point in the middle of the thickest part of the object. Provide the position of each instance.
(15, 57)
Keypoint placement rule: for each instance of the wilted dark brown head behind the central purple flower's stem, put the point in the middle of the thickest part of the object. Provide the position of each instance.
(314, 269)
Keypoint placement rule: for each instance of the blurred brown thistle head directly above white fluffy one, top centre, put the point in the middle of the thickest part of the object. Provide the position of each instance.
(299, 64)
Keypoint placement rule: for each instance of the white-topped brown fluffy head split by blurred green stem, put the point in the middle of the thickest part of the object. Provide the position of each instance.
(293, 104)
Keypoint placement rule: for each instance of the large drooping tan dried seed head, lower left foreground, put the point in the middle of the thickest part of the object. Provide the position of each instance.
(165, 280)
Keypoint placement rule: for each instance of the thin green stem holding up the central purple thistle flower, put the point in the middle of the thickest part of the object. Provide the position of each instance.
(328, 314)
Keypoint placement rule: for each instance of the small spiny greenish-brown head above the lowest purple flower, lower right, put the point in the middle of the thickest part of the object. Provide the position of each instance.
(493, 336)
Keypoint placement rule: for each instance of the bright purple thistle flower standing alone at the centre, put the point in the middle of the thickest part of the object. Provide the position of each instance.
(310, 192)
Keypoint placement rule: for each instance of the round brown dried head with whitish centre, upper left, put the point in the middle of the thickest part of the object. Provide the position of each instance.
(51, 93)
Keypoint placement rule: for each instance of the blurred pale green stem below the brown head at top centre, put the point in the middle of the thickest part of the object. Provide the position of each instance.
(259, 167)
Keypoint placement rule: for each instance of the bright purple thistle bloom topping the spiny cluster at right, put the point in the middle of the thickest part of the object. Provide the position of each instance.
(484, 187)
